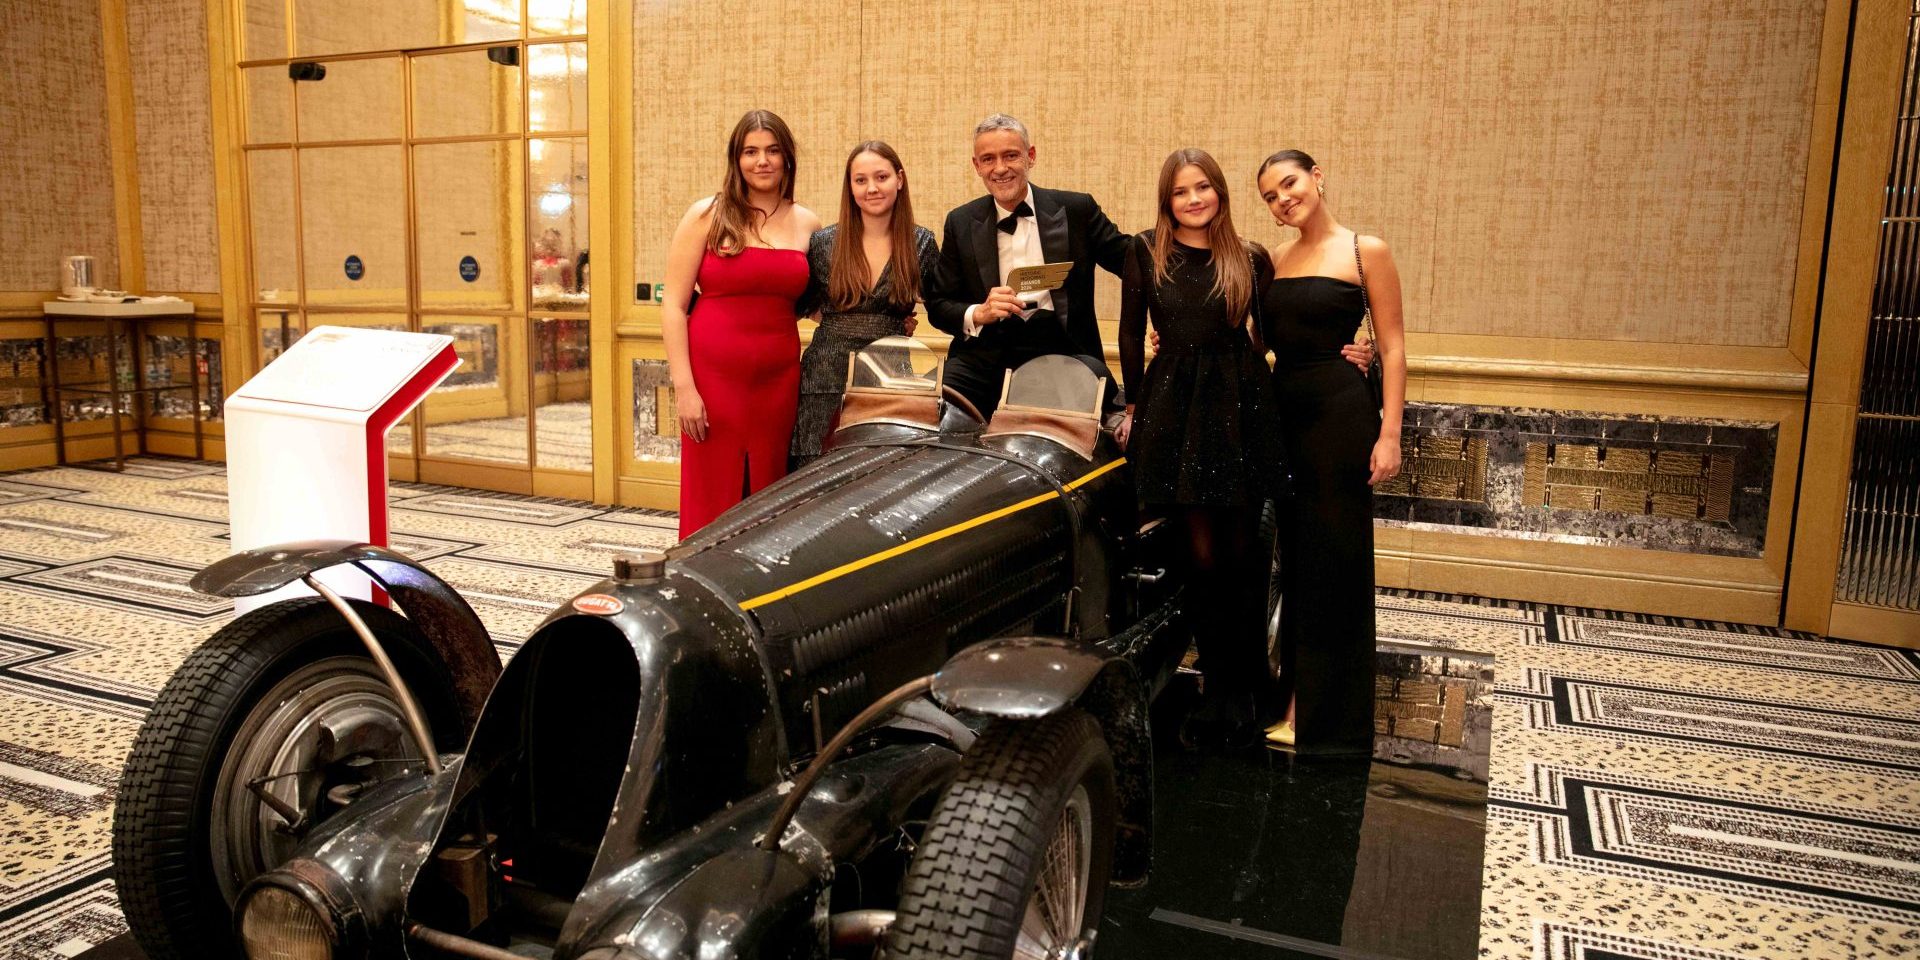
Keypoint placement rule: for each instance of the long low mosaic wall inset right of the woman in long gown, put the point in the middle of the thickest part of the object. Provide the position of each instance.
(1631, 481)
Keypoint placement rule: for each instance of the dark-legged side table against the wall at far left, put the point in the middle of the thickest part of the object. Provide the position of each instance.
(122, 320)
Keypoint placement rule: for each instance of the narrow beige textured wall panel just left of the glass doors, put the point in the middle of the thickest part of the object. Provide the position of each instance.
(174, 145)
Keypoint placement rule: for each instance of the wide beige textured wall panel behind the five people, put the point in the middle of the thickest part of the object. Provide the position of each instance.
(1608, 172)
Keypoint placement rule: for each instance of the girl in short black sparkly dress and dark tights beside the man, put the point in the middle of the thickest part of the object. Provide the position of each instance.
(1201, 425)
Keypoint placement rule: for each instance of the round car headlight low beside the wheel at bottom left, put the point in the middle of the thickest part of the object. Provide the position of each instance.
(300, 911)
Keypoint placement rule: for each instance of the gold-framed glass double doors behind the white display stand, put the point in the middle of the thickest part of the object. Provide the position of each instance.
(423, 168)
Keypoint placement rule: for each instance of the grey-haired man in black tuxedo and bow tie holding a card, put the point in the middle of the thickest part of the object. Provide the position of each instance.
(1019, 226)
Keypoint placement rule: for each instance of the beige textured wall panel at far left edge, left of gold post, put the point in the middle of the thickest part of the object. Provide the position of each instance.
(57, 176)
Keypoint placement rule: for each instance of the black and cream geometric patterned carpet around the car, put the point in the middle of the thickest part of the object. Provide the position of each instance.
(1660, 788)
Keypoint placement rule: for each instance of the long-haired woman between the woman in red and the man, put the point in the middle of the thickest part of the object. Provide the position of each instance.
(865, 277)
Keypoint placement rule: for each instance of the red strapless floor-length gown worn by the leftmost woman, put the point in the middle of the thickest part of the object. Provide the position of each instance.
(744, 343)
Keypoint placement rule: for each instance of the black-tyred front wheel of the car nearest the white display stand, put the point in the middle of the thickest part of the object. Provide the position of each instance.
(252, 698)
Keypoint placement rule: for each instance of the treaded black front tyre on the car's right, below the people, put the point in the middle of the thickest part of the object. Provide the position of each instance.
(1019, 853)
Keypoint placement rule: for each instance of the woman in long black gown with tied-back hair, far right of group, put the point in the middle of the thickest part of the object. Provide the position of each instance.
(1339, 444)
